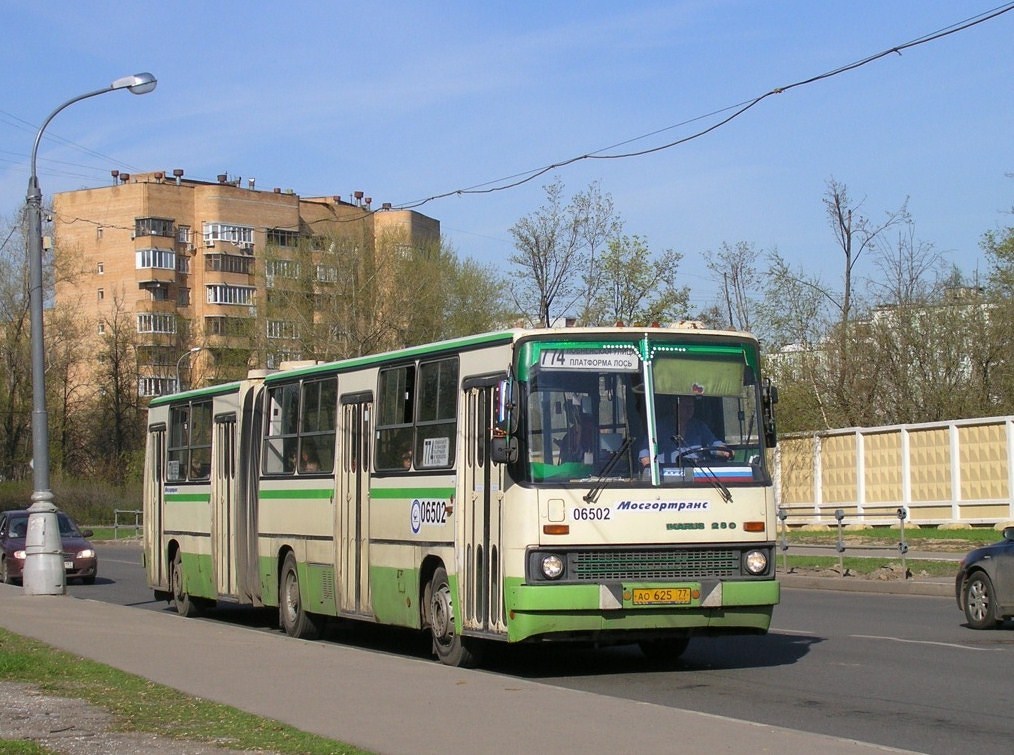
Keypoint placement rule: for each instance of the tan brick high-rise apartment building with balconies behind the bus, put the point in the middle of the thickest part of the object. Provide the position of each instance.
(215, 278)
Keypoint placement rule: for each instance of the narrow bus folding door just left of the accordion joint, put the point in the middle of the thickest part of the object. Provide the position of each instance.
(223, 504)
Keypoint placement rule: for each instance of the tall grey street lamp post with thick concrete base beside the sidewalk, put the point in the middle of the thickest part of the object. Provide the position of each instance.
(44, 568)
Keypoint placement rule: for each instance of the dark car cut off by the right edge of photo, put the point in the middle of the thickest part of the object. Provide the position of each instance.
(985, 584)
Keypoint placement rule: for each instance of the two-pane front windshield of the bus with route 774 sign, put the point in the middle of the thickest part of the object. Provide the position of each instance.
(672, 419)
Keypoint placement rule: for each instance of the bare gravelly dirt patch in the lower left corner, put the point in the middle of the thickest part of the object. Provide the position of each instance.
(73, 726)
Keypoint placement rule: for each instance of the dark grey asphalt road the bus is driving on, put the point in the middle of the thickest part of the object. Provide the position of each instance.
(901, 671)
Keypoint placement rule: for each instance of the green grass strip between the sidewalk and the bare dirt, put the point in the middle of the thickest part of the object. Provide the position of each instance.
(141, 706)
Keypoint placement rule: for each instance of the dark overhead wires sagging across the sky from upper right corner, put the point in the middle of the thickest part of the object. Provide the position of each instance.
(738, 110)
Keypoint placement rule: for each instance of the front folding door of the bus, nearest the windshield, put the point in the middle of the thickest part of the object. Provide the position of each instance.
(480, 515)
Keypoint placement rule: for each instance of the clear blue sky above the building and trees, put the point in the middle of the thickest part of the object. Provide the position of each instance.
(408, 101)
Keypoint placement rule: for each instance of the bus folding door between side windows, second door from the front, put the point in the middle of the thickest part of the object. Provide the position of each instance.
(353, 525)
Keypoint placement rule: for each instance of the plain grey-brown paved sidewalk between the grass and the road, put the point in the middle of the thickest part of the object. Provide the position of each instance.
(385, 704)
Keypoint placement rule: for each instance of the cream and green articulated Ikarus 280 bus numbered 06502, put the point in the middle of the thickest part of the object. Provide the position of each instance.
(523, 486)
